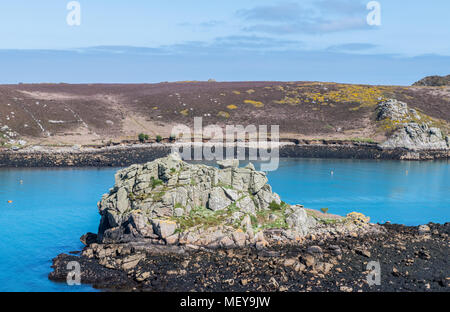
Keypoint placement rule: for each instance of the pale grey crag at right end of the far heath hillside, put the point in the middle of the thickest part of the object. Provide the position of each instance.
(411, 129)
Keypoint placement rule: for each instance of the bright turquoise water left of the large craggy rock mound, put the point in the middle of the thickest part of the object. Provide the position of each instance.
(51, 209)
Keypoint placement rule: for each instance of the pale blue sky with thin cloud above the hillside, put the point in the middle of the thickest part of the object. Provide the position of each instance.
(152, 41)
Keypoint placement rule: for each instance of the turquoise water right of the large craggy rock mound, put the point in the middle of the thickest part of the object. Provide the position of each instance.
(410, 193)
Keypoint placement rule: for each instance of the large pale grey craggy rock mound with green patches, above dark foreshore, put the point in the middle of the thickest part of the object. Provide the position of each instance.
(172, 202)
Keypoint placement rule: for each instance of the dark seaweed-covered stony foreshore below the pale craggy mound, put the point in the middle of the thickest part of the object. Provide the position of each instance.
(411, 259)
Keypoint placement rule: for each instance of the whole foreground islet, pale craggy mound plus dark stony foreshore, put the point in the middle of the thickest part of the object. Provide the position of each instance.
(168, 225)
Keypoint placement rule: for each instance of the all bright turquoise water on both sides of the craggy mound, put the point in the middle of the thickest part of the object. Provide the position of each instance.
(51, 209)
